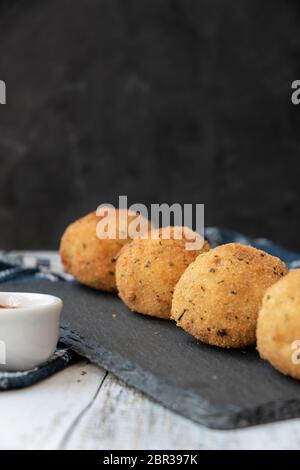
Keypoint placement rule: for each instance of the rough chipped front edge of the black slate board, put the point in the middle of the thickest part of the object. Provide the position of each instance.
(187, 404)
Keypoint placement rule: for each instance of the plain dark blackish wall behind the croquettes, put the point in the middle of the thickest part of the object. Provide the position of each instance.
(162, 100)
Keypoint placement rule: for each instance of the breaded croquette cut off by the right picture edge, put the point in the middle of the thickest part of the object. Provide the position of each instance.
(278, 325)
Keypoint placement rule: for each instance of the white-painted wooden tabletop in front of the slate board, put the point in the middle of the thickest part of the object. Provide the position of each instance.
(84, 407)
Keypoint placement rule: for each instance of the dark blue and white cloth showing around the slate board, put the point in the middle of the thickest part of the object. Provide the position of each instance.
(22, 266)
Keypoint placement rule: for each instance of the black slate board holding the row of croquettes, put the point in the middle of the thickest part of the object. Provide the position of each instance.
(223, 389)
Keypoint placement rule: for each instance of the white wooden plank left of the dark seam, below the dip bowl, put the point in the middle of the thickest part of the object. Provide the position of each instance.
(41, 416)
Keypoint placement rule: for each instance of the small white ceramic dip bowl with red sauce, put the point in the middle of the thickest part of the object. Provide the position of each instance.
(29, 329)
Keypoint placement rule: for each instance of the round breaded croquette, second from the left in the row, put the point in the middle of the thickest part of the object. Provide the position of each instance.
(148, 270)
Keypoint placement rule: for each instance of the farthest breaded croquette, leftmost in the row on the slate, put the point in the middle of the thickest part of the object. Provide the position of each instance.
(92, 260)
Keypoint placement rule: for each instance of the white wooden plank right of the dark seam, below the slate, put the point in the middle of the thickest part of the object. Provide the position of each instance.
(122, 418)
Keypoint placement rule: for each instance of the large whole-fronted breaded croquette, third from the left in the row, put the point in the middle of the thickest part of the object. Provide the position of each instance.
(218, 297)
